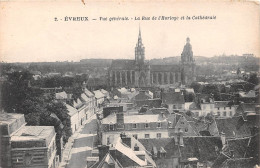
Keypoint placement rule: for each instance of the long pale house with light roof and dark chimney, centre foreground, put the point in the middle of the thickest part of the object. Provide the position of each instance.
(138, 126)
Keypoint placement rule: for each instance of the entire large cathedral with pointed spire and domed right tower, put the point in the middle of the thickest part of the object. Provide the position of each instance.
(139, 73)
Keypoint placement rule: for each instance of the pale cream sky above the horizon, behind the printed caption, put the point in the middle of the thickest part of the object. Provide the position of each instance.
(28, 32)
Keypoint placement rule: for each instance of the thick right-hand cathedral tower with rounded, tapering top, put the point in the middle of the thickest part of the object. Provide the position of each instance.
(187, 64)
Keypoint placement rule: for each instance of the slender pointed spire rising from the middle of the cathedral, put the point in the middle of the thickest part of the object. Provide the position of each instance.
(139, 50)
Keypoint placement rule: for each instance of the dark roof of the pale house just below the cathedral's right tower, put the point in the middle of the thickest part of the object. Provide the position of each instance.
(173, 98)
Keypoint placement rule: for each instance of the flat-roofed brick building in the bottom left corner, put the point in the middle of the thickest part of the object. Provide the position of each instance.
(26, 146)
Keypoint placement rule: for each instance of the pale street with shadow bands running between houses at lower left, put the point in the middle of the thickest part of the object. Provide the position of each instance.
(83, 145)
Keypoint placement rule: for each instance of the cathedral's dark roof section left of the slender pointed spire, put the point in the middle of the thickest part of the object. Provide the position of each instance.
(123, 64)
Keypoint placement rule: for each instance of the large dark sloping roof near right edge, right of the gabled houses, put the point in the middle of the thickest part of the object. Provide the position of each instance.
(234, 127)
